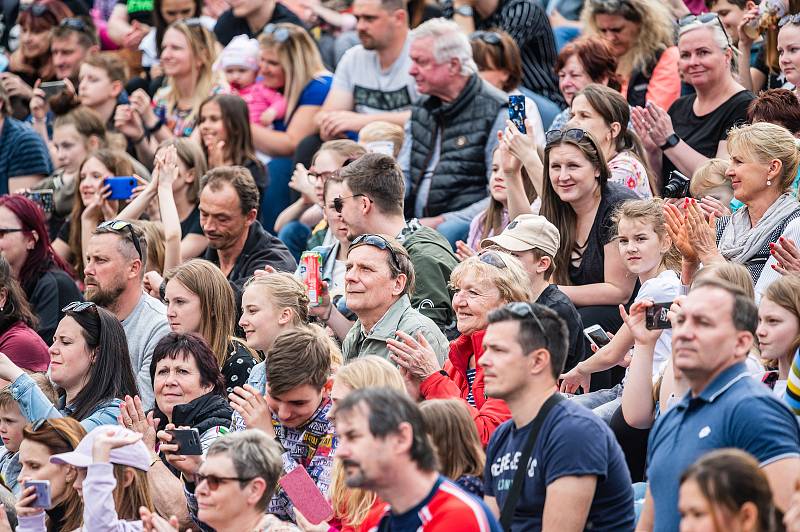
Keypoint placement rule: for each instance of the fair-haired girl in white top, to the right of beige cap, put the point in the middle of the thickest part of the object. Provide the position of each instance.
(647, 250)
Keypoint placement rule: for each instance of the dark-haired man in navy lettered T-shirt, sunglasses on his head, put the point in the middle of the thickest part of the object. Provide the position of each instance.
(575, 476)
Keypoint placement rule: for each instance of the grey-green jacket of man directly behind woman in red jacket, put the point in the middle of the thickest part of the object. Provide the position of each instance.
(400, 317)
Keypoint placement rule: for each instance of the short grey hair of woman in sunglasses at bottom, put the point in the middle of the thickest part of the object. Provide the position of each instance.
(254, 454)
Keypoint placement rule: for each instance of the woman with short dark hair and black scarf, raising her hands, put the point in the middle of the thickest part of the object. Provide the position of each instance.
(190, 393)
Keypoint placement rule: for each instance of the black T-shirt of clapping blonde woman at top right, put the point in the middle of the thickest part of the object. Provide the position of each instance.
(704, 133)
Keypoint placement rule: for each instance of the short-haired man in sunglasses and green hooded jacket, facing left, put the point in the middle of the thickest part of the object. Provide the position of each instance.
(372, 202)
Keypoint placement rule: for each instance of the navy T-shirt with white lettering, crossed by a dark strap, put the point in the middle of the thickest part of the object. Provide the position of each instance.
(572, 442)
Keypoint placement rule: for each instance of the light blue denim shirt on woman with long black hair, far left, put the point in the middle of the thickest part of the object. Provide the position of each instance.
(35, 405)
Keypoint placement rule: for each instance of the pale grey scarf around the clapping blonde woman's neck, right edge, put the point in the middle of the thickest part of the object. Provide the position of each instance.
(740, 242)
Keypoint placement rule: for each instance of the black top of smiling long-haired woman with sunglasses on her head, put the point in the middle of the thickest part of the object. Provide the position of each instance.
(592, 268)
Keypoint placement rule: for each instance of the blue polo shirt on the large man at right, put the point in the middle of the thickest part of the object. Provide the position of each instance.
(734, 410)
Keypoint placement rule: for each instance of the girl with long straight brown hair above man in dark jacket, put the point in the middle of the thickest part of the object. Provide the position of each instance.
(226, 138)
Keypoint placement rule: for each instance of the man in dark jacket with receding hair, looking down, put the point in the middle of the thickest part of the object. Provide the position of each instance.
(237, 242)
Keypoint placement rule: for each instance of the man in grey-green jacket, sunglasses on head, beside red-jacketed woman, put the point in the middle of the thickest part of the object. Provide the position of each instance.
(379, 275)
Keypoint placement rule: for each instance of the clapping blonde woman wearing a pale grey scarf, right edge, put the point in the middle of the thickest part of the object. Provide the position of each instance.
(764, 162)
